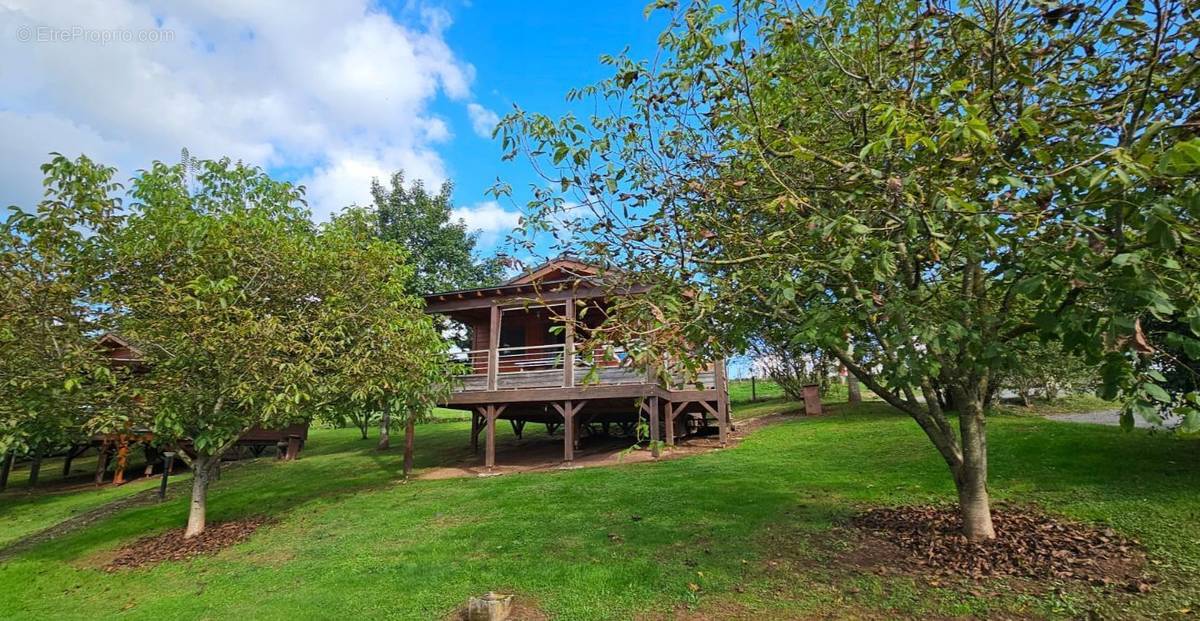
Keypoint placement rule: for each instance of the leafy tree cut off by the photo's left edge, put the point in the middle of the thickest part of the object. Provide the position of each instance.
(51, 263)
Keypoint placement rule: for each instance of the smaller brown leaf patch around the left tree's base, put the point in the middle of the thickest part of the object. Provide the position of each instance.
(172, 546)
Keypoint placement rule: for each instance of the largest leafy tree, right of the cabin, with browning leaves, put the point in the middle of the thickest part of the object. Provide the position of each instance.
(938, 182)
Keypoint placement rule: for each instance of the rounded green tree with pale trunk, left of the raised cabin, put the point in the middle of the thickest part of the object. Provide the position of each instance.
(248, 316)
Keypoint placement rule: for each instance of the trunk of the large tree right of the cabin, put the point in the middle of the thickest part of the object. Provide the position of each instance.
(971, 478)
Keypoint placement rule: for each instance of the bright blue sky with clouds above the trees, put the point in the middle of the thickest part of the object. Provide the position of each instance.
(325, 94)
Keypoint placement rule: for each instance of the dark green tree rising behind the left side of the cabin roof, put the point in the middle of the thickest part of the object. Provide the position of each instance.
(442, 250)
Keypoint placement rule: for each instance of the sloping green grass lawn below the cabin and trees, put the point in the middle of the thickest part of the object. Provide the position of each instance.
(739, 533)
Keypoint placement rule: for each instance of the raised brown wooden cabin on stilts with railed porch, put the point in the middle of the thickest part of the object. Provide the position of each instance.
(524, 370)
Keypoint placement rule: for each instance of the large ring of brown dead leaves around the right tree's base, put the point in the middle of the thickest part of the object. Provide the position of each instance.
(1029, 545)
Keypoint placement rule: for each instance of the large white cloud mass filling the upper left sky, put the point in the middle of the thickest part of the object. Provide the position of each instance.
(338, 92)
